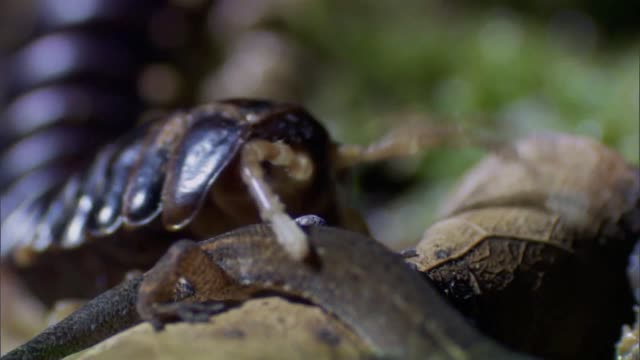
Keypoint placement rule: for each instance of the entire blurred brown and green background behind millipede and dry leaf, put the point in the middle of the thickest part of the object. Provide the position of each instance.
(501, 68)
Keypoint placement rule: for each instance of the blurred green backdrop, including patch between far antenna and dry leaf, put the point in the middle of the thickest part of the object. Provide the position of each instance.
(505, 70)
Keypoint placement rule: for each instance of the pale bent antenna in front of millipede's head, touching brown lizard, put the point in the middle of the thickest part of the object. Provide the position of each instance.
(299, 168)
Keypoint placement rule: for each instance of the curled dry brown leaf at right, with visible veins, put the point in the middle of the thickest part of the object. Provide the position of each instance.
(534, 242)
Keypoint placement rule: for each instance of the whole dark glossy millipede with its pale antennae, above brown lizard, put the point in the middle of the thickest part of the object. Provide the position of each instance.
(74, 224)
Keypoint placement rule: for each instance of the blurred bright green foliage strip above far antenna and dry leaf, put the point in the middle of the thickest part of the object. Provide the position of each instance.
(515, 73)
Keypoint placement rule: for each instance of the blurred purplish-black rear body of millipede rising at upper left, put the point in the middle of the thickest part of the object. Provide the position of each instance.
(73, 85)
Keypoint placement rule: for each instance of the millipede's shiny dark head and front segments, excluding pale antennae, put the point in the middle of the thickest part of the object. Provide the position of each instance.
(180, 173)
